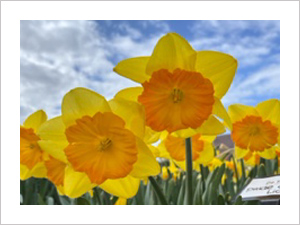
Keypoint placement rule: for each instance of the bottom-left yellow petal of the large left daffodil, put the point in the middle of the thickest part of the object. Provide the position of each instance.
(76, 183)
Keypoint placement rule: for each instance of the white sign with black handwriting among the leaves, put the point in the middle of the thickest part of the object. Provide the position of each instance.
(262, 187)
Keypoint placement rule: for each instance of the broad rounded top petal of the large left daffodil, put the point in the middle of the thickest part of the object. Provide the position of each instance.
(81, 102)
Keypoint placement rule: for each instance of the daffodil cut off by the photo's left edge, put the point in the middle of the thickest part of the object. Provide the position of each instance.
(32, 157)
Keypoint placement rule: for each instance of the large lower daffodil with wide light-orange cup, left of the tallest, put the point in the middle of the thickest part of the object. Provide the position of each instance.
(103, 141)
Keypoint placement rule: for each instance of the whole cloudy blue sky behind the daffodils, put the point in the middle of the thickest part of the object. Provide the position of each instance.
(57, 56)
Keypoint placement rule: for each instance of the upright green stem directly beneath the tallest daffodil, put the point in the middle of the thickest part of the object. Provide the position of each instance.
(189, 170)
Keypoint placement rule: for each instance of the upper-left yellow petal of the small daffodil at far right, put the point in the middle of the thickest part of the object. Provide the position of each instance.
(238, 111)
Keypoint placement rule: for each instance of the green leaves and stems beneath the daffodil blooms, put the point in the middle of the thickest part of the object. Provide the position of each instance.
(218, 187)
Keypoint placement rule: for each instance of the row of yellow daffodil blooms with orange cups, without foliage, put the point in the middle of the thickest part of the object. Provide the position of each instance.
(113, 144)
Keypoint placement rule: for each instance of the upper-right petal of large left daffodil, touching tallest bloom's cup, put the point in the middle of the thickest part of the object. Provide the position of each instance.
(132, 113)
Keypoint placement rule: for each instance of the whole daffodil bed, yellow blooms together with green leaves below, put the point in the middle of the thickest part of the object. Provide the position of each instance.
(151, 144)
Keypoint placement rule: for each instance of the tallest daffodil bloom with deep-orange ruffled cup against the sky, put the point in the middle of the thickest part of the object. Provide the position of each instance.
(182, 87)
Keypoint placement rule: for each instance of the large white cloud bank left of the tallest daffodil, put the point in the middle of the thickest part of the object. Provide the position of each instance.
(57, 56)
